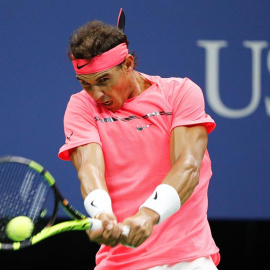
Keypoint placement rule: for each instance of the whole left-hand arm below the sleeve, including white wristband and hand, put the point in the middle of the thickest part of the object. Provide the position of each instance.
(89, 163)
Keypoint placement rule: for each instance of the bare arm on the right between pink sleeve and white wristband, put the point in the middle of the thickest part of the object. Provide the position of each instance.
(187, 148)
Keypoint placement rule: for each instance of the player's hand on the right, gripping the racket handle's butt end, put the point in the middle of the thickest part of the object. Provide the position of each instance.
(141, 227)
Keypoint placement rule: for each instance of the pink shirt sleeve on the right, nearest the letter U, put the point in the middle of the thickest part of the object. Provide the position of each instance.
(188, 105)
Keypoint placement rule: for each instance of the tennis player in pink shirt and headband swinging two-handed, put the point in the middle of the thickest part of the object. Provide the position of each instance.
(139, 144)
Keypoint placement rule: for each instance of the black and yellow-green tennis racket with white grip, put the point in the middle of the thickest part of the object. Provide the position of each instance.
(27, 189)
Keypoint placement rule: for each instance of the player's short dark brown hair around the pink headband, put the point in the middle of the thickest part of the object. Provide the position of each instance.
(95, 38)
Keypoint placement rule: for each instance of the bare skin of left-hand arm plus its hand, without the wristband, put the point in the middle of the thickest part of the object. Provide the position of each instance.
(89, 163)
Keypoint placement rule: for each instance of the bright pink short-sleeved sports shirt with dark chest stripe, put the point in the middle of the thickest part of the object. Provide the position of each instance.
(135, 142)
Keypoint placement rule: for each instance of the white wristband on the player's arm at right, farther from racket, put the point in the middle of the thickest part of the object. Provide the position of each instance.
(165, 201)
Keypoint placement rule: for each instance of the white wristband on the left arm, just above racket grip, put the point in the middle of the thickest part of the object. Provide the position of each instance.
(98, 201)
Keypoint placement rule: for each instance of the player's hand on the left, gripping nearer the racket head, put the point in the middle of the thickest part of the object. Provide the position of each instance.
(109, 234)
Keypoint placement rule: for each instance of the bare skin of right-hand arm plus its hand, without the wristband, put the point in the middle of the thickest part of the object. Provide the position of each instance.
(187, 148)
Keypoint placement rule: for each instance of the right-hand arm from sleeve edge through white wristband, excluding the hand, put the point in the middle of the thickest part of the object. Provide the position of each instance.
(187, 150)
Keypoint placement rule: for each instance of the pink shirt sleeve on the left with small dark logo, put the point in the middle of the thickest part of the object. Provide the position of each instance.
(79, 126)
